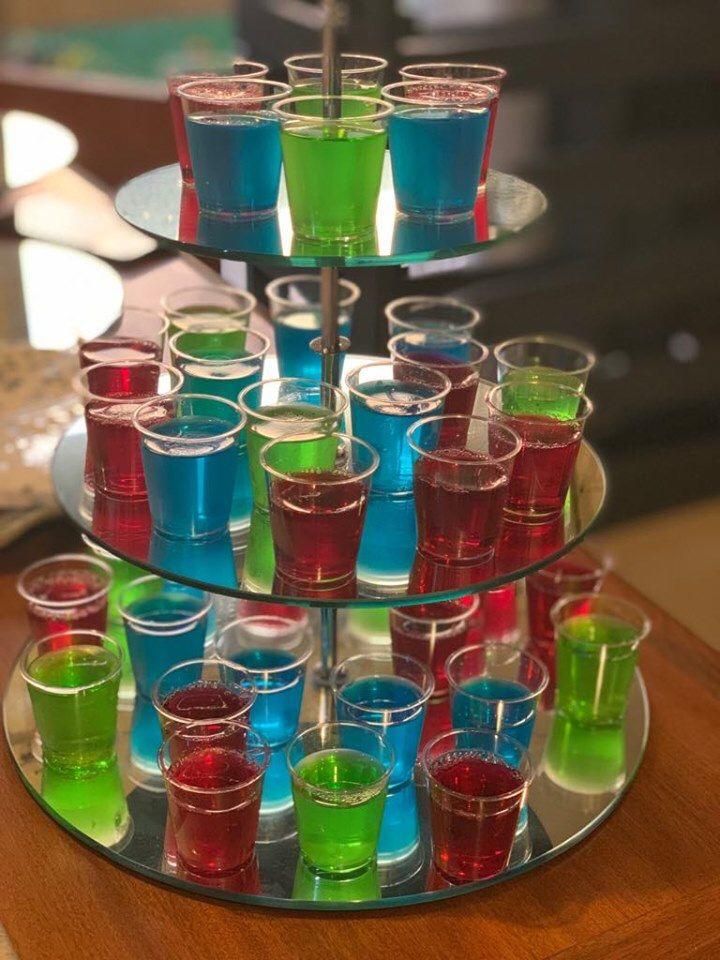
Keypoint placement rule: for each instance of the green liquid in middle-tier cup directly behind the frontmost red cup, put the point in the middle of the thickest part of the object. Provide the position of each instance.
(295, 455)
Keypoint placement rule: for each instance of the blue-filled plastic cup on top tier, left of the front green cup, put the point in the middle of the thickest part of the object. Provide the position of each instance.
(234, 142)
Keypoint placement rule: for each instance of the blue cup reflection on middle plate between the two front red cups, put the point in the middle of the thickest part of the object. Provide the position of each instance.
(389, 538)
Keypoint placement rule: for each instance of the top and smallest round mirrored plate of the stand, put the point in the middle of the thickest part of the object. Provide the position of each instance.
(158, 204)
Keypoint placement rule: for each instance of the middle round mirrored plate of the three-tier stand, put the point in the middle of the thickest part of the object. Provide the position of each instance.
(242, 564)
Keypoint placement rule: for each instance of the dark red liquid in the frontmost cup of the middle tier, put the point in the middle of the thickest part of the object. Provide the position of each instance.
(316, 528)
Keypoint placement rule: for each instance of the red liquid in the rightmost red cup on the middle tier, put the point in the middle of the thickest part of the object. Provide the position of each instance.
(543, 468)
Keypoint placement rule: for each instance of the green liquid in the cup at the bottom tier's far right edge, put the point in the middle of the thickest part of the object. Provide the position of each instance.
(596, 659)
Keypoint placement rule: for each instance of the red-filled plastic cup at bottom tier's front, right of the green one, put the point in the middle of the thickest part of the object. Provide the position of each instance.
(477, 782)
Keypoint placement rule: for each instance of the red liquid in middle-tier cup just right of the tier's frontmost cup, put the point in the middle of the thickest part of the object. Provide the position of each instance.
(459, 508)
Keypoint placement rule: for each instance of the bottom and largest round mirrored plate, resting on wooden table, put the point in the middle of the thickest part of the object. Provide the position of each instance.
(580, 780)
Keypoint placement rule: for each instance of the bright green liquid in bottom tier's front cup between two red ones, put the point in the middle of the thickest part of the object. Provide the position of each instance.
(339, 797)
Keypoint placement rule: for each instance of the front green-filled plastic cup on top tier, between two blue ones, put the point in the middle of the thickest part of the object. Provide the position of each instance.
(333, 150)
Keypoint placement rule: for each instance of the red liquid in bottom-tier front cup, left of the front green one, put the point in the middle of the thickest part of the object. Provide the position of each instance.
(216, 834)
